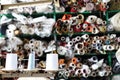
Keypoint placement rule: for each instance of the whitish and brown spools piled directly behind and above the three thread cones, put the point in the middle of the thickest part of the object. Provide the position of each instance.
(24, 47)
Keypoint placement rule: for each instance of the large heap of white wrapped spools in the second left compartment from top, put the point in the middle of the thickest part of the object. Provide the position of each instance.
(41, 26)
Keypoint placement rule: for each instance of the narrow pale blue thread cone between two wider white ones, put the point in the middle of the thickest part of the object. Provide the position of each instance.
(31, 61)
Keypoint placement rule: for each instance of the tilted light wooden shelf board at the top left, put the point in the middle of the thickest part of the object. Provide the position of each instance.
(7, 6)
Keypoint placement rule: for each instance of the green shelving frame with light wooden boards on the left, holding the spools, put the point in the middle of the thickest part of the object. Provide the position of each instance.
(55, 15)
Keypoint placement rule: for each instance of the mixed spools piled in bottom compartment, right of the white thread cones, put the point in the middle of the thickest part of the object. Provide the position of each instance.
(77, 67)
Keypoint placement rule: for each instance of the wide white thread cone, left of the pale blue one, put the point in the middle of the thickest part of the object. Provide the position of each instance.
(11, 62)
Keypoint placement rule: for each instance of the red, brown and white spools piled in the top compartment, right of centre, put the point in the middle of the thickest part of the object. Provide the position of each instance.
(81, 5)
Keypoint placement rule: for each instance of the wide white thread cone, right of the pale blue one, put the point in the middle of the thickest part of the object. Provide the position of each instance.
(52, 62)
